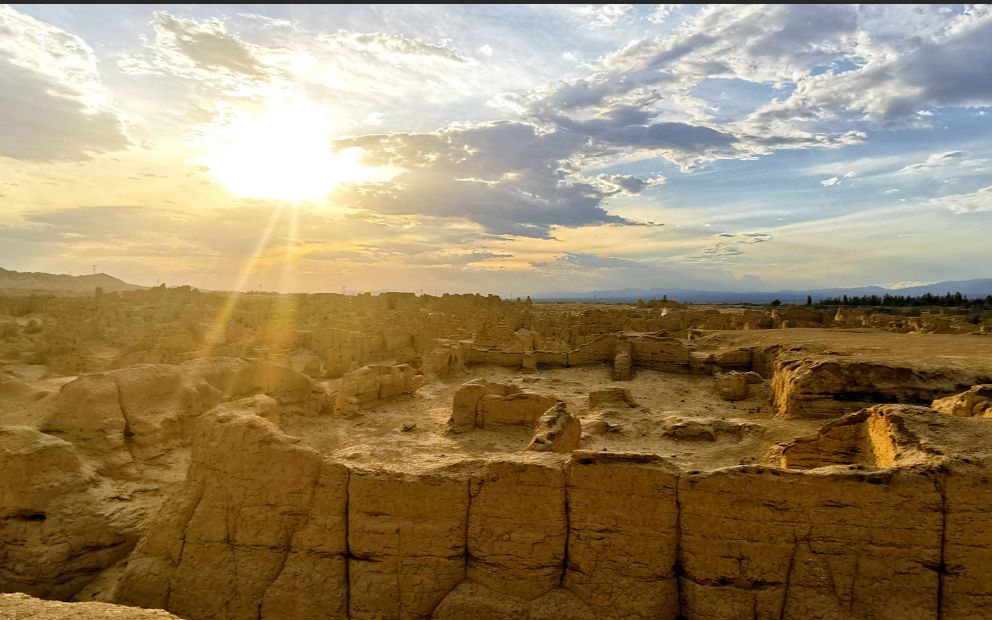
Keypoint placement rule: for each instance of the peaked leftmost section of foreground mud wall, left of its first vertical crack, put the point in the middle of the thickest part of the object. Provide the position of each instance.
(259, 530)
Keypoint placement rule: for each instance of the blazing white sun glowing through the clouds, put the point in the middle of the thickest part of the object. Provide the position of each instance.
(281, 153)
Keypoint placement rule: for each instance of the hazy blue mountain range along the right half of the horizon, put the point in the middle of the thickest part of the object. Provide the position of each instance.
(969, 288)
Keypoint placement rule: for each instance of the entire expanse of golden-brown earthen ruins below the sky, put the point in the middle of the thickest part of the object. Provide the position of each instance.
(462, 456)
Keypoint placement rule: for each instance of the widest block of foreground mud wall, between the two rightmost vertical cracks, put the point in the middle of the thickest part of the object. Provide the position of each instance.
(770, 543)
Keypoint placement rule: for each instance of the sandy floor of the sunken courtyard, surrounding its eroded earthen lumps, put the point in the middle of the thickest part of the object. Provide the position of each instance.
(410, 431)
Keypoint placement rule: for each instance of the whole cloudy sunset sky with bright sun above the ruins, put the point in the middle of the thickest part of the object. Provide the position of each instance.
(508, 149)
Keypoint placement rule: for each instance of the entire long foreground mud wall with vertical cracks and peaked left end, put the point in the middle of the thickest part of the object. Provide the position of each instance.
(267, 528)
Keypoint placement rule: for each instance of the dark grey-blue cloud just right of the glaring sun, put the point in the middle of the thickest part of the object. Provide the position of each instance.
(510, 177)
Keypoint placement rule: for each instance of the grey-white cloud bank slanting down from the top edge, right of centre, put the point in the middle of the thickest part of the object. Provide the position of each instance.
(656, 77)
